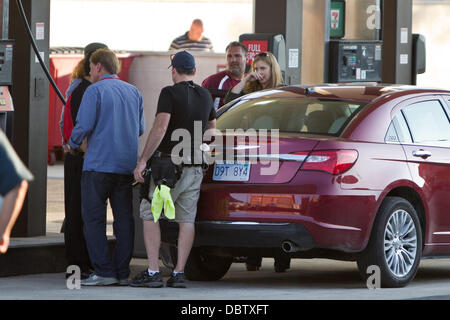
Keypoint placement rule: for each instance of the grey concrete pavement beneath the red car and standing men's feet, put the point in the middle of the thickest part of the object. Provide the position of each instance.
(315, 279)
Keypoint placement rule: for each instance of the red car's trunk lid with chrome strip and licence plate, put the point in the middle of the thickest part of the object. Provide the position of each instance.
(260, 159)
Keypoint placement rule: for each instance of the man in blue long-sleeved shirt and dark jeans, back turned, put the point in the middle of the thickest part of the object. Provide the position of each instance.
(111, 117)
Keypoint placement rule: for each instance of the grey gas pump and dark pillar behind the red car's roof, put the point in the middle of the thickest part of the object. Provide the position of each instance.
(356, 47)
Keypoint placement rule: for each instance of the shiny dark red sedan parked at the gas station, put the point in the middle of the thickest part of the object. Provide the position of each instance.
(354, 172)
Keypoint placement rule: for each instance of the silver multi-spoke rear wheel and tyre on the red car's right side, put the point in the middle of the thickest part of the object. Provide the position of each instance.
(395, 245)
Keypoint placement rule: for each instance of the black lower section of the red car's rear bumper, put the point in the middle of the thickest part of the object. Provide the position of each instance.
(242, 234)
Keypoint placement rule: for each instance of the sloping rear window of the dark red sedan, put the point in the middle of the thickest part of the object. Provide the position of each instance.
(309, 115)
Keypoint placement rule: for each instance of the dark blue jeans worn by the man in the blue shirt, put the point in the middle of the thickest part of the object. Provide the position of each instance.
(96, 189)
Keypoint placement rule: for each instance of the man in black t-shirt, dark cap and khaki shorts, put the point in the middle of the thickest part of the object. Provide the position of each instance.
(185, 110)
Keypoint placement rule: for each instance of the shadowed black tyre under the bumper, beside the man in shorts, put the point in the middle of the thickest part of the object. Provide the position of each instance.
(202, 266)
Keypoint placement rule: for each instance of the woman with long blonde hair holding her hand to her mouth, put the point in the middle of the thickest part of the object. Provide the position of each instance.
(265, 74)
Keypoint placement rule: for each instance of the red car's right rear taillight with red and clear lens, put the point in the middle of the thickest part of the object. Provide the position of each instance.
(331, 161)
